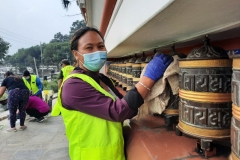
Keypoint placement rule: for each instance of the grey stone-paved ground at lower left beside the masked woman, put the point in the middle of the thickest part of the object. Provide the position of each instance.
(40, 141)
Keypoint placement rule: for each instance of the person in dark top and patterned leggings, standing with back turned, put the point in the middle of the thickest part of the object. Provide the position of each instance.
(18, 95)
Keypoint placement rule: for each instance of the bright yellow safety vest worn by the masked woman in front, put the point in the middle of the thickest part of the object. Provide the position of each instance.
(90, 137)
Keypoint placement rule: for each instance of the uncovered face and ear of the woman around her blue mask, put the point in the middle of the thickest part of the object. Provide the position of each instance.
(88, 43)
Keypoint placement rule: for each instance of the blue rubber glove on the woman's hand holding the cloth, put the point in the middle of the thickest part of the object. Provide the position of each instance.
(157, 66)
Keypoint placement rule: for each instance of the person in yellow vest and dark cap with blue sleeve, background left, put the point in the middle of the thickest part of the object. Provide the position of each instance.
(33, 83)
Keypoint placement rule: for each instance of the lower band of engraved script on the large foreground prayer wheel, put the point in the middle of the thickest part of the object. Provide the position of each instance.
(205, 117)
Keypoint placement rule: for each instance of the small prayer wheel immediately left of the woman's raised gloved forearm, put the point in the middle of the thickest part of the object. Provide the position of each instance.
(136, 69)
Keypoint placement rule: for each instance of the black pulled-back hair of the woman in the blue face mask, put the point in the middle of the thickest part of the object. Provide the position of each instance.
(79, 33)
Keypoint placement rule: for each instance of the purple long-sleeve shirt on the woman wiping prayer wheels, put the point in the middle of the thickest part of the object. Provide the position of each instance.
(81, 96)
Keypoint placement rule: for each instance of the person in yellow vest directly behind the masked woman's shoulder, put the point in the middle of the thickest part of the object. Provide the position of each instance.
(66, 69)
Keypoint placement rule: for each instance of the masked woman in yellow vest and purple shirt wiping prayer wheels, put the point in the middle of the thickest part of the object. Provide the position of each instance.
(91, 107)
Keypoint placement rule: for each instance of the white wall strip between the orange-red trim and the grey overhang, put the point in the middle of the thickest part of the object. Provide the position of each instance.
(129, 17)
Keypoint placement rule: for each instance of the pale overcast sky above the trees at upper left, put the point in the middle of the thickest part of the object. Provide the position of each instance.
(25, 23)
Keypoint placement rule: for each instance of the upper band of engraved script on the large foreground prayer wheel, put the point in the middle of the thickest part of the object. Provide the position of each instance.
(205, 83)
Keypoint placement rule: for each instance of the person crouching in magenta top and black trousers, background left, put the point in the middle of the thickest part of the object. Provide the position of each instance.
(37, 108)
